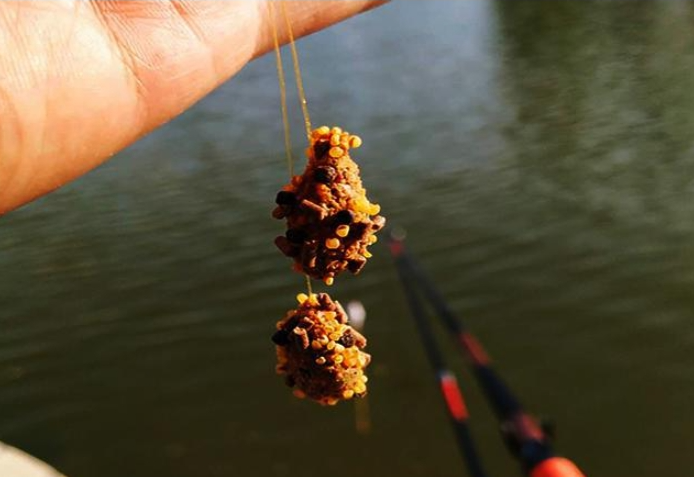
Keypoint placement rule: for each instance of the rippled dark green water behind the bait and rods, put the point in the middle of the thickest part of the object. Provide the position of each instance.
(540, 154)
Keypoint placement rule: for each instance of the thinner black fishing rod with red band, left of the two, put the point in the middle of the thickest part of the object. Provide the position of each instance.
(448, 385)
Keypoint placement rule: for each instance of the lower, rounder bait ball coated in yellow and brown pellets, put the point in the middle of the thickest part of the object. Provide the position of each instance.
(319, 353)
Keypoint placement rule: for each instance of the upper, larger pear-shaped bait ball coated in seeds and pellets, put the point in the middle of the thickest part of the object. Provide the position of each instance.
(330, 221)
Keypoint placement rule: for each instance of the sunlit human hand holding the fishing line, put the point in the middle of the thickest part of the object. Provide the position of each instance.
(80, 81)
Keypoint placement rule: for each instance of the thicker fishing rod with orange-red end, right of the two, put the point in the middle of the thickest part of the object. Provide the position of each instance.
(524, 435)
